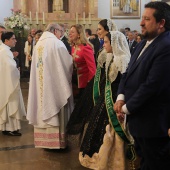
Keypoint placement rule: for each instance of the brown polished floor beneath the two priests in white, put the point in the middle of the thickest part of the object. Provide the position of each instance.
(18, 153)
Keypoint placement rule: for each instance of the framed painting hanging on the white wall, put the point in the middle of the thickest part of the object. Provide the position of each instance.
(125, 8)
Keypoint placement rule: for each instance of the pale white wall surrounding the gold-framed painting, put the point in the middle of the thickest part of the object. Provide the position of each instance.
(104, 12)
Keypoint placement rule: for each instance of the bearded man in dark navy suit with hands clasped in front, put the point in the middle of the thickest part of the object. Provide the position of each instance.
(144, 91)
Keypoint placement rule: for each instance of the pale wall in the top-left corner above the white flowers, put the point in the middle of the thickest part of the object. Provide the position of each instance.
(5, 9)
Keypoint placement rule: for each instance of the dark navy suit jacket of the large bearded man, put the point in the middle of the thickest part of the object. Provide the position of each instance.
(146, 86)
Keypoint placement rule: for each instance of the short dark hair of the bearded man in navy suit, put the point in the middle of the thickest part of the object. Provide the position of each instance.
(162, 11)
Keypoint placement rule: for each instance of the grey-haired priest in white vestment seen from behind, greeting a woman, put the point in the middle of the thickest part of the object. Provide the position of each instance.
(50, 100)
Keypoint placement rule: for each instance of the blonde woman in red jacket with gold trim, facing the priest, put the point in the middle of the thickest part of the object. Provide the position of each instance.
(83, 56)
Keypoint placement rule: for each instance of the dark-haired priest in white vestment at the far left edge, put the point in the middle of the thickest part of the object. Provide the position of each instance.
(12, 109)
